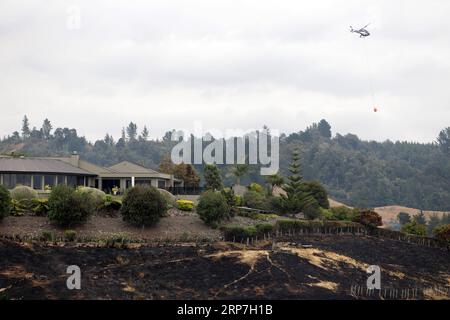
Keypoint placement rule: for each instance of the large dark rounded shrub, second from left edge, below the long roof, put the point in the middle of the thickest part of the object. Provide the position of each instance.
(68, 207)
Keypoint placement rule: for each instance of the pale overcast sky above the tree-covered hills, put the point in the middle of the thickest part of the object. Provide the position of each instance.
(228, 64)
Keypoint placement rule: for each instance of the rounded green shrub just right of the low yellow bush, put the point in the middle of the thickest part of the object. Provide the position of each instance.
(212, 207)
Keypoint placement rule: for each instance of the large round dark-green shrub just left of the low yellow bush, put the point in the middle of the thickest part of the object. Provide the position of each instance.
(143, 206)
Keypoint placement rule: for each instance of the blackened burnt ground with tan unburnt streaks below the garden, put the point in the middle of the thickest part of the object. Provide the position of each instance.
(326, 270)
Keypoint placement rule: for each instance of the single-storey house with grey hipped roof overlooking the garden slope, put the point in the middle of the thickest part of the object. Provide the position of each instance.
(39, 172)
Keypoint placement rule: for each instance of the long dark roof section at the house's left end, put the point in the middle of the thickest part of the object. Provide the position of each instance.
(39, 165)
